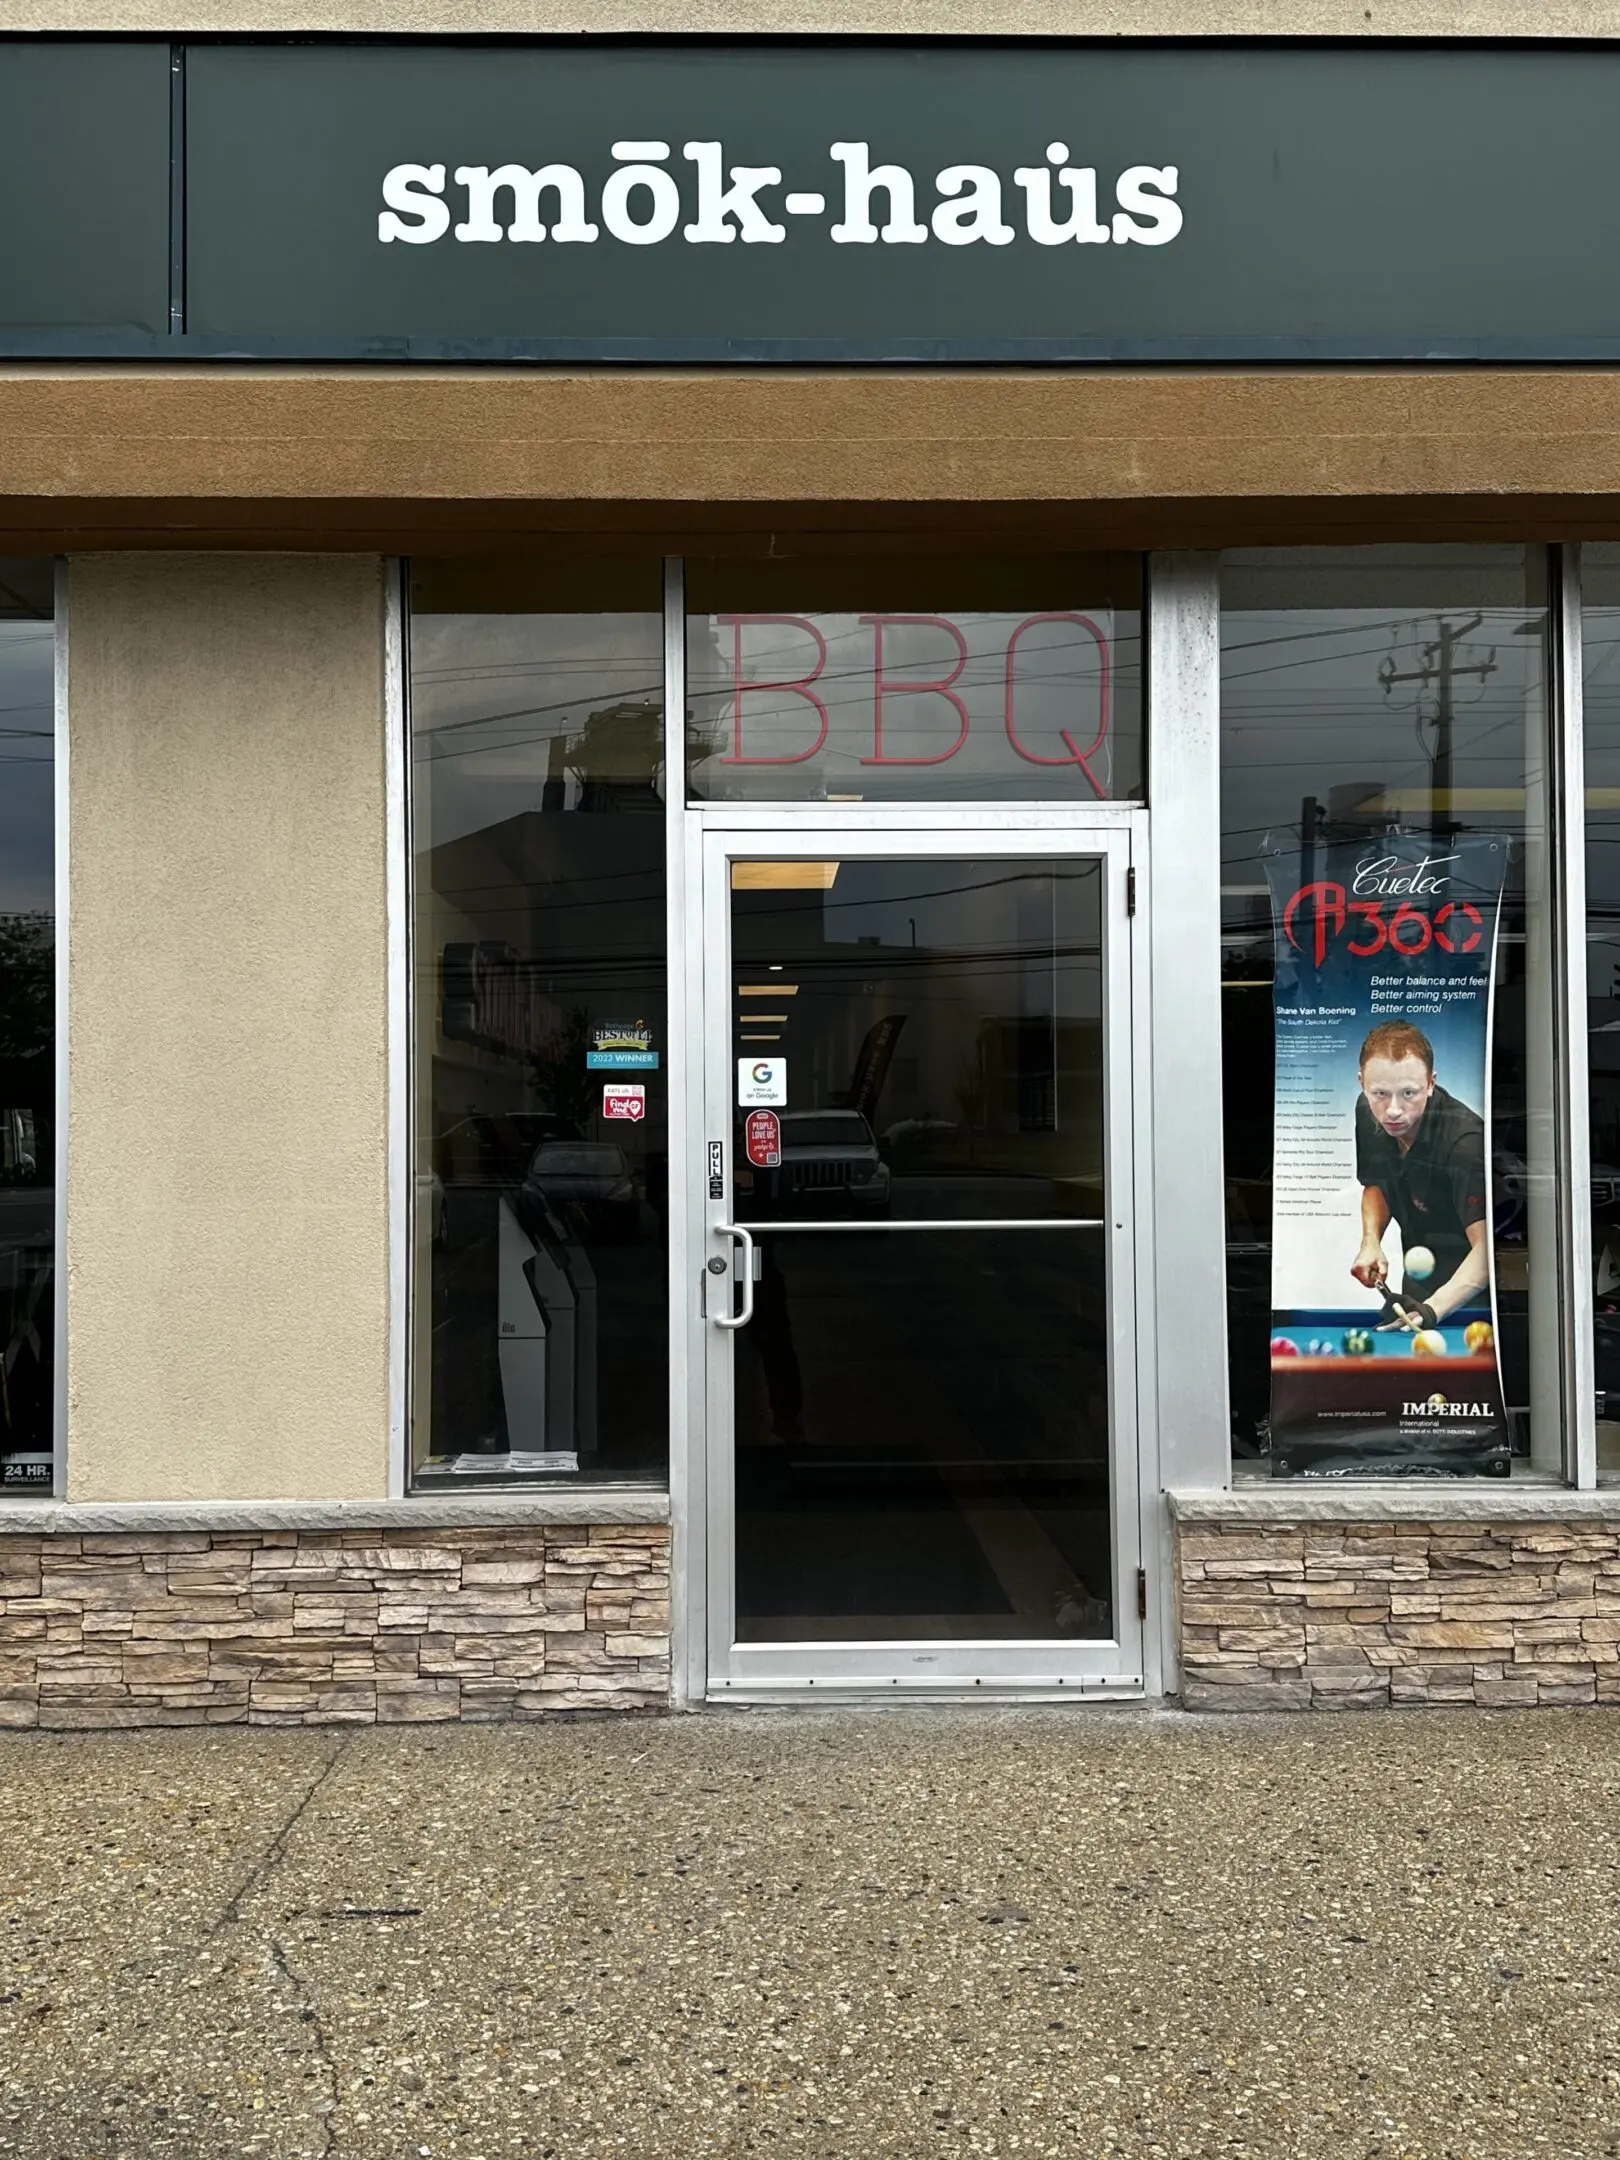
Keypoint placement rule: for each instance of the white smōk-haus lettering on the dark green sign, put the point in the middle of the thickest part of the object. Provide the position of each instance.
(643, 202)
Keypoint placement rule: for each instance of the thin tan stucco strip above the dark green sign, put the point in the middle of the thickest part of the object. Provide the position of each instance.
(841, 18)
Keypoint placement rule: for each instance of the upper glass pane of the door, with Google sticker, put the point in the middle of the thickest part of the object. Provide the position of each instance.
(943, 1021)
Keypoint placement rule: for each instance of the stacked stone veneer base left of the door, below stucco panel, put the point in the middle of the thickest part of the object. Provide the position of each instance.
(299, 1628)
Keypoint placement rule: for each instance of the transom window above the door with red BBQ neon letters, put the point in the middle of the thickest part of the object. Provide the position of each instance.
(917, 679)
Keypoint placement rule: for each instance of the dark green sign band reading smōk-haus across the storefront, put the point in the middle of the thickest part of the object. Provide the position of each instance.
(815, 202)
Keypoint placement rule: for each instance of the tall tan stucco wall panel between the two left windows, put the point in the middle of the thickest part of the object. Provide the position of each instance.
(228, 1062)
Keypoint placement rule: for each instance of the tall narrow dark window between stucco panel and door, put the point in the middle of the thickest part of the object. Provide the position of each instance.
(543, 1059)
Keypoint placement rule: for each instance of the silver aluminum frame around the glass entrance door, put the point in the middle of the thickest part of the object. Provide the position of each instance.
(1023, 1669)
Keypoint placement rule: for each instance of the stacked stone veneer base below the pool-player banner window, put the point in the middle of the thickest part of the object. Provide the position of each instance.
(1358, 1615)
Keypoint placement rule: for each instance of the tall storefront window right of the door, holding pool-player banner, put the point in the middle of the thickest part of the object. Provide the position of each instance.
(1386, 962)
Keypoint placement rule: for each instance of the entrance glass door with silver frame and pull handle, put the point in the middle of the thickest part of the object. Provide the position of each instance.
(917, 1258)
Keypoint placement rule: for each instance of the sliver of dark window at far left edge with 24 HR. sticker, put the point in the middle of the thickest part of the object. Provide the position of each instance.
(27, 1027)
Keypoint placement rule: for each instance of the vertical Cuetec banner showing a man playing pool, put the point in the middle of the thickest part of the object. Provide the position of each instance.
(1383, 1293)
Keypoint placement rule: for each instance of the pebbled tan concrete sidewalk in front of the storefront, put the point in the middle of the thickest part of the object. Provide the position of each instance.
(885, 1934)
